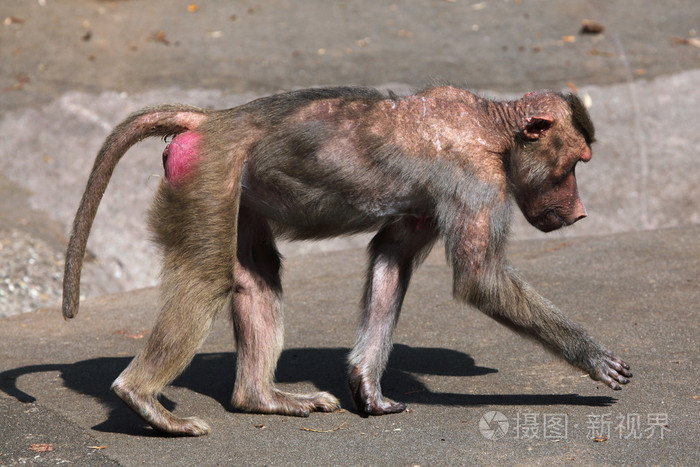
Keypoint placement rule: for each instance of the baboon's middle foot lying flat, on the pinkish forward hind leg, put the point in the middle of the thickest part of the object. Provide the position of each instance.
(285, 403)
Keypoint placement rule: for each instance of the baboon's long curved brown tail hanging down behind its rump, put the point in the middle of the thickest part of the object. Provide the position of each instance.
(155, 121)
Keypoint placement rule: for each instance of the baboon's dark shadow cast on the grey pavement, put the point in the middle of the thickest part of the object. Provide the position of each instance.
(325, 368)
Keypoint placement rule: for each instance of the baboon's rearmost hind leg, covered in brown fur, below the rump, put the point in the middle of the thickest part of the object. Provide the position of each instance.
(197, 283)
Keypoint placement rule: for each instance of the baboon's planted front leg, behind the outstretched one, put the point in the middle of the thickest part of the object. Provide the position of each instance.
(394, 252)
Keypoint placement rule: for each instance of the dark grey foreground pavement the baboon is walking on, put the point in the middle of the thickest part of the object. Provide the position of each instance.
(638, 293)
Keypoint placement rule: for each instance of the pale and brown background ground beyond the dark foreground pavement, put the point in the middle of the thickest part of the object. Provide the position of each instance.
(73, 69)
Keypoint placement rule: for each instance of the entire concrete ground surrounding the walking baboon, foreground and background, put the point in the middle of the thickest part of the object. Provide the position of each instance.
(73, 69)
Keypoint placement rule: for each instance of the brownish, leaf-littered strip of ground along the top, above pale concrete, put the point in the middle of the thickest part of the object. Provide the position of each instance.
(247, 45)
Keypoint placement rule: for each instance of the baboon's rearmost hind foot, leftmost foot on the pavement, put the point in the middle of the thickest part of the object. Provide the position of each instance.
(153, 412)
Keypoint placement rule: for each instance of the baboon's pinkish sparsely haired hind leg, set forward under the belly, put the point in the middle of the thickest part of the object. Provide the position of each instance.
(257, 321)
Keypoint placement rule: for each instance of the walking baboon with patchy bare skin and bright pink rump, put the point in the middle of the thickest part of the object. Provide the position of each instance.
(310, 164)
